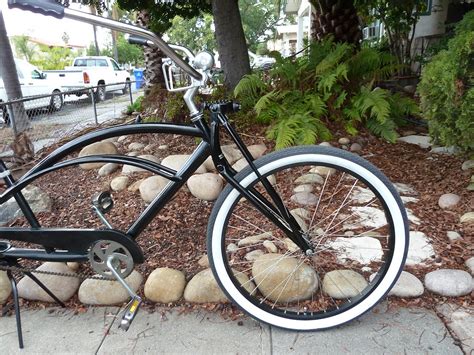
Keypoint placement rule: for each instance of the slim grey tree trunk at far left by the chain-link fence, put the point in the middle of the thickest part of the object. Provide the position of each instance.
(22, 148)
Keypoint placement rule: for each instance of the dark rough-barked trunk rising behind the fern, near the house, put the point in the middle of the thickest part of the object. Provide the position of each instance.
(337, 18)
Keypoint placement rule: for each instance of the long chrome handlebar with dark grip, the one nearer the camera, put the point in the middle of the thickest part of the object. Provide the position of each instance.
(51, 8)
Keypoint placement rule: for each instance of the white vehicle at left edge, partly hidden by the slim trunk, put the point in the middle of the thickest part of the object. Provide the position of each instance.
(33, 82)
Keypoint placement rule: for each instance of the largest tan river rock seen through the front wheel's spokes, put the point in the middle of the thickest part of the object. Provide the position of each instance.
(284, 279)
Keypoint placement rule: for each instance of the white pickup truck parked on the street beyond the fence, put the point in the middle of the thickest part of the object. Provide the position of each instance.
(85, 72)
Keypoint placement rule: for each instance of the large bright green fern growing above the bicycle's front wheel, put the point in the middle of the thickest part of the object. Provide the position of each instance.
(330, 82)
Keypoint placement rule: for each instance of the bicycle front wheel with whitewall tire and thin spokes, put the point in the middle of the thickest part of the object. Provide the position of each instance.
(350, 213)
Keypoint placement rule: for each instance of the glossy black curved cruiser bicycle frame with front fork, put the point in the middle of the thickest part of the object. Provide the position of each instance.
(209, 146)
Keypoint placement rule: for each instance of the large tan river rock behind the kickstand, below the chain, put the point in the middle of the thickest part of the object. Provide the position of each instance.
(62, 287)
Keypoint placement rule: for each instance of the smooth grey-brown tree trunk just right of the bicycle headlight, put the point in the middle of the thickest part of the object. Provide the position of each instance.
(233, 52)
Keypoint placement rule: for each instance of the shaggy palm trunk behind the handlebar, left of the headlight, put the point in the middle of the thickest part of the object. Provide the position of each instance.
(153, 58)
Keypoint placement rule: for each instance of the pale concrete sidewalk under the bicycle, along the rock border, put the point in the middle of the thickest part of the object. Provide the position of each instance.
(383, 331)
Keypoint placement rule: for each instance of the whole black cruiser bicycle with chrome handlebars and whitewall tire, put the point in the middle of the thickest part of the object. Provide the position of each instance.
(287, 256)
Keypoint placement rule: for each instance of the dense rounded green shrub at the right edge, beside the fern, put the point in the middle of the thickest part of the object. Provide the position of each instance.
(447, 89)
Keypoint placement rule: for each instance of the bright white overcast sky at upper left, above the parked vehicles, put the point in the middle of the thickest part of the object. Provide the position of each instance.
(49, 29)
